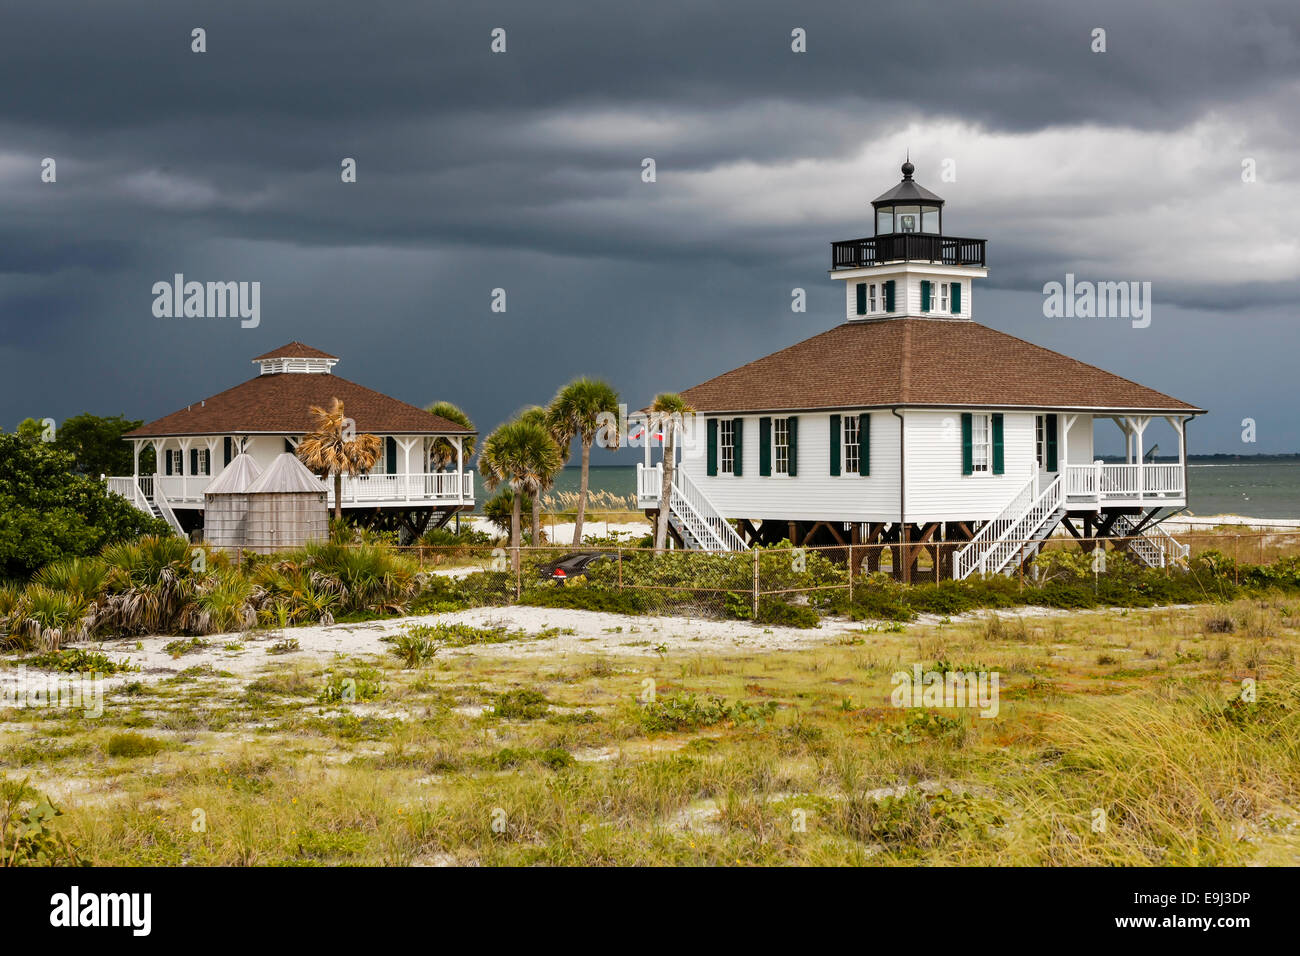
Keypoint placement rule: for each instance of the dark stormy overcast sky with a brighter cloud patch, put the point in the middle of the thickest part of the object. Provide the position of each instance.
(523, 171)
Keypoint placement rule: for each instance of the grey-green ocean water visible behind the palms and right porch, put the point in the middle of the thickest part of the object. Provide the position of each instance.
(1256, 490)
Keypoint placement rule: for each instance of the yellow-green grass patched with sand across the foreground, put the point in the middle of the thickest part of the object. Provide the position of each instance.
(1146, 721)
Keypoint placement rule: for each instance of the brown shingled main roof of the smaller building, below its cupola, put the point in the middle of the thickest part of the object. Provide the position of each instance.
(279, 405)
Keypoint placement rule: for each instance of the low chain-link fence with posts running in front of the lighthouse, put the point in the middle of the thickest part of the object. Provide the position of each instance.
(786, 585)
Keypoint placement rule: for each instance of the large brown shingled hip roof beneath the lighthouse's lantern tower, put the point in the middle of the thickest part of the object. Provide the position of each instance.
(922, 362)
